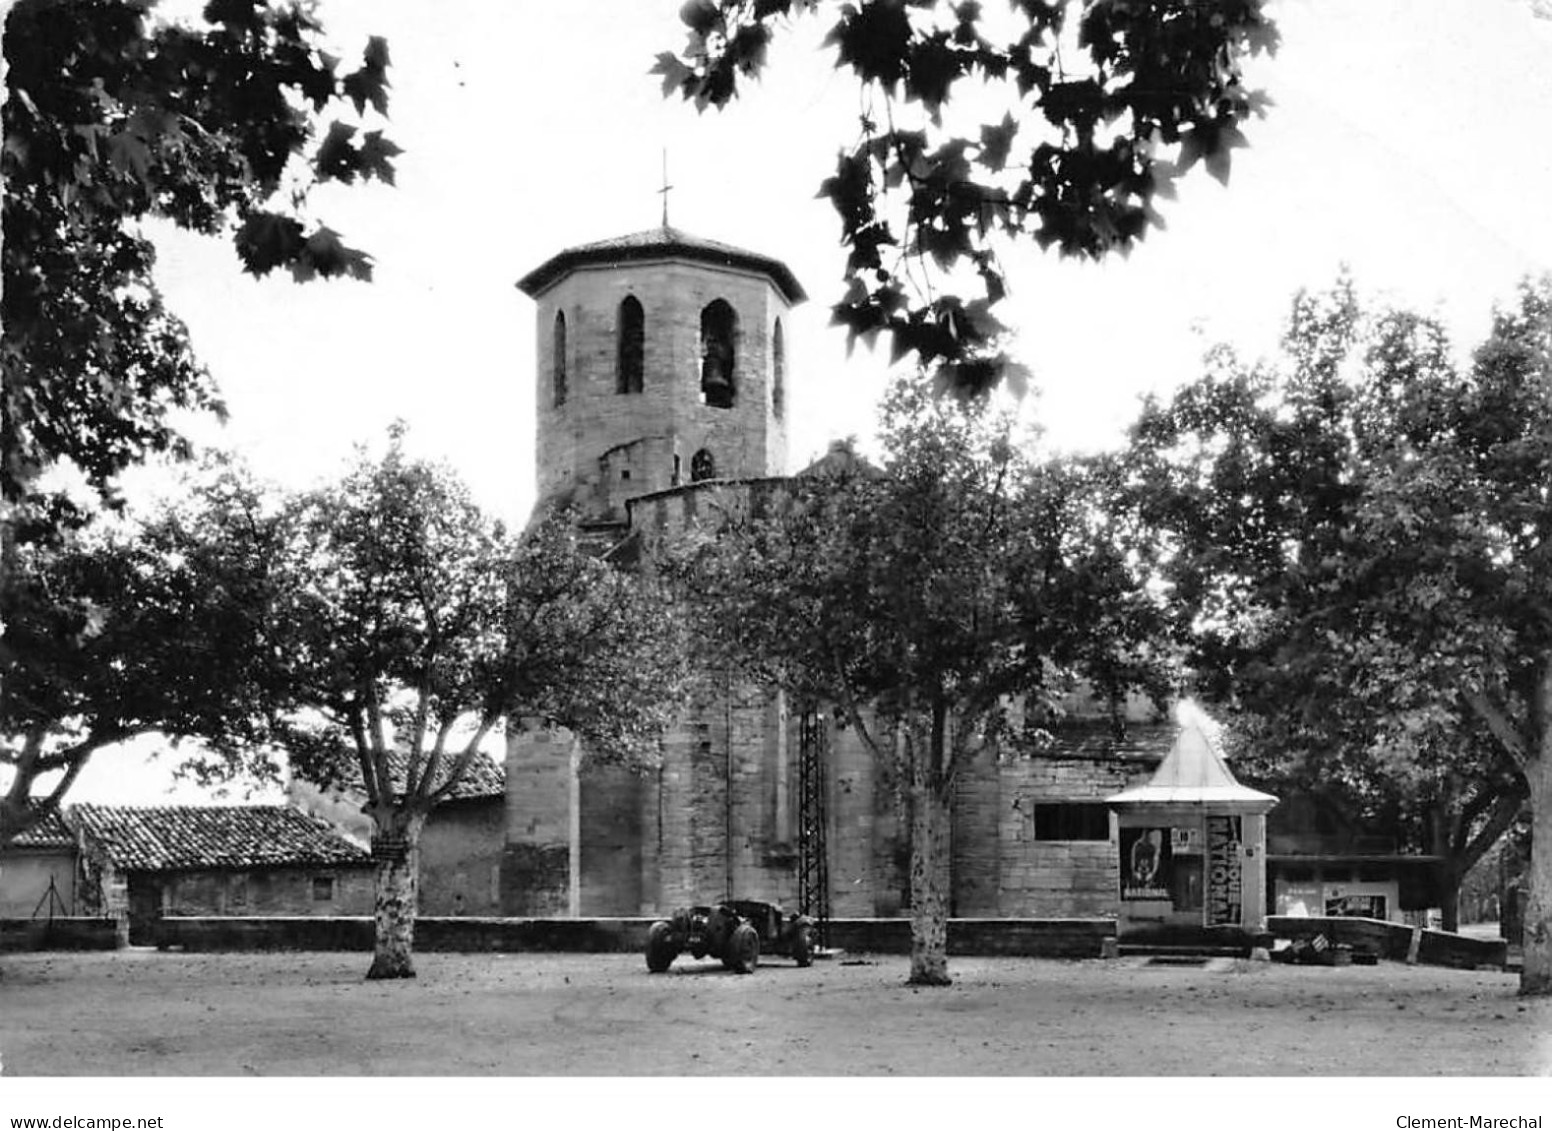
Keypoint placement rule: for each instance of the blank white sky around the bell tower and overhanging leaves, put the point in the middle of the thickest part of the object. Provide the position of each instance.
(1410, 139)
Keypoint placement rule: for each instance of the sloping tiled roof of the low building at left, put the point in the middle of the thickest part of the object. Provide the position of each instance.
(162, 839)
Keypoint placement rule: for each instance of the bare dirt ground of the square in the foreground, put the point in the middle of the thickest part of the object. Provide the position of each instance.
(140, 1014)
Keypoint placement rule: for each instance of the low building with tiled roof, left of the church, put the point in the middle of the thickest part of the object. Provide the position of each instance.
(221, 860)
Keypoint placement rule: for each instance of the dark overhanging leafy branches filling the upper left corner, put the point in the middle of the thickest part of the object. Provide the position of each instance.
(114, 117)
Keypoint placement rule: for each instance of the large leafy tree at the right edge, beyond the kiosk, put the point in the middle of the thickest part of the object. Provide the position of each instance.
(1359, 542)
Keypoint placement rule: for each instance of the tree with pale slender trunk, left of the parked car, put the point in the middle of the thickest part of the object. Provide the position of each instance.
(412, 626)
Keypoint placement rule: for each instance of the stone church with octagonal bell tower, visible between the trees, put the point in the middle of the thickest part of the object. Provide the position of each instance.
(662, 401)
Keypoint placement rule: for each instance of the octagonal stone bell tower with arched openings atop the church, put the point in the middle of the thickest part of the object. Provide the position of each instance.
(662, 362)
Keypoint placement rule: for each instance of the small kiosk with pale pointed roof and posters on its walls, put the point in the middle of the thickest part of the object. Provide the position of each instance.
(1193, 849)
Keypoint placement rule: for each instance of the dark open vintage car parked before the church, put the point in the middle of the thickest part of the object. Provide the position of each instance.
(735, 933)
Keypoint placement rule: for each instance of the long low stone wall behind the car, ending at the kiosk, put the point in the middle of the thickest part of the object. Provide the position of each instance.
(1031, 938)
